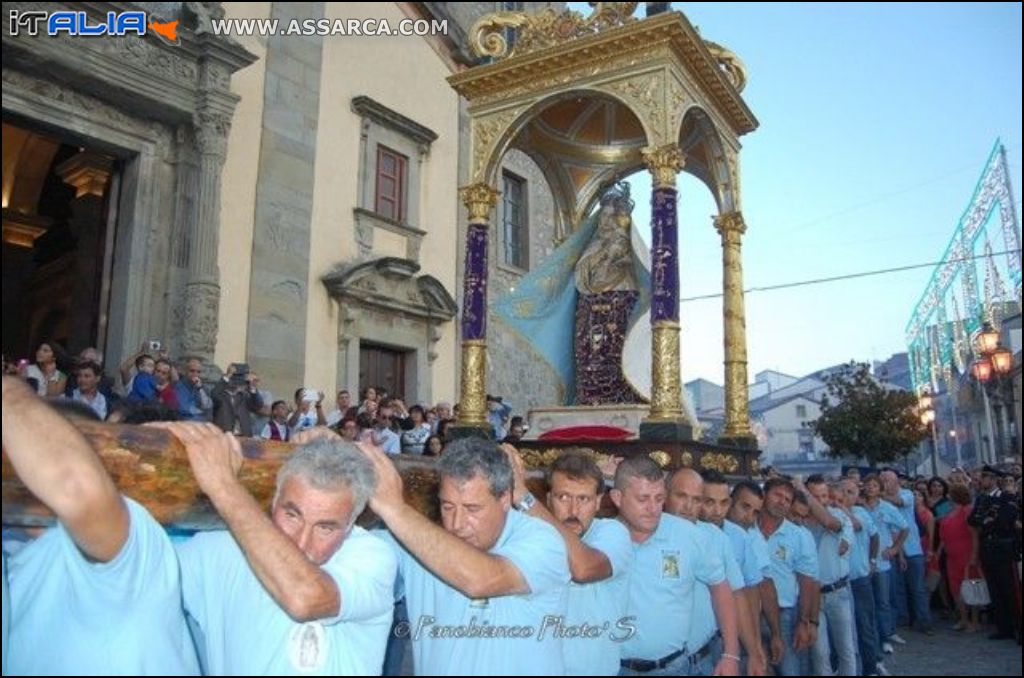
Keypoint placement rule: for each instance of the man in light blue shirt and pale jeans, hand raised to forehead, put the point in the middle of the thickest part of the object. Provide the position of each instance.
(834, 535)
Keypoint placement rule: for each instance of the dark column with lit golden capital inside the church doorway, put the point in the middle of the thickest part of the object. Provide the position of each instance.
(90, 174)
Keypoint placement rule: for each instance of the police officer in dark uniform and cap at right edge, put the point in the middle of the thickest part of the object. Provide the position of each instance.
(995, 516)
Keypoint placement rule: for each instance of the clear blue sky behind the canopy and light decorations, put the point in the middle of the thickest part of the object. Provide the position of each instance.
(876, 123)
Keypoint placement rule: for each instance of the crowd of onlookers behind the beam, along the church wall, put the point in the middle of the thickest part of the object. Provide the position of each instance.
(152, 388)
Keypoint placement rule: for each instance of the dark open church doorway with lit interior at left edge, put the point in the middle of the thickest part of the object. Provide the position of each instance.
(58, 241)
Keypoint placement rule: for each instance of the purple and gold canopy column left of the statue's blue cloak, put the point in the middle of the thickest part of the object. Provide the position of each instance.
(480, 200)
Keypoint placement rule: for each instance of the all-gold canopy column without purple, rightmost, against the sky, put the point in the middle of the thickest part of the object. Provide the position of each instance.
(738, 432)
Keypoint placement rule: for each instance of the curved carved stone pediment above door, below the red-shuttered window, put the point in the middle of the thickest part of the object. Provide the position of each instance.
(392, 285)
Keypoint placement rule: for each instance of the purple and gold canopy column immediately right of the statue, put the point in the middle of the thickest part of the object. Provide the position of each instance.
(667, 421)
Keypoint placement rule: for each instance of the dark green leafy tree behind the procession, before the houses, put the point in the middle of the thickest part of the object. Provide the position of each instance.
(863, 418)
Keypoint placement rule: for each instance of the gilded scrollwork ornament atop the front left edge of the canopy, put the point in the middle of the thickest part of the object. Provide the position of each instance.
(544, 29)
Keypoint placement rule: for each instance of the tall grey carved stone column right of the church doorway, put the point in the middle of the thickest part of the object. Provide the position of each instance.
(202, 295)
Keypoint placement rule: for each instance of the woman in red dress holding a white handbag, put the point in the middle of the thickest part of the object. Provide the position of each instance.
(960, 543)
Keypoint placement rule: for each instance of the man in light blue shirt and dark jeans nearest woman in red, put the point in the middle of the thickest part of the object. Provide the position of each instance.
(909, 583)
